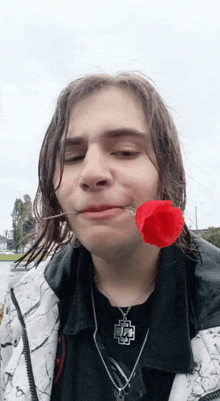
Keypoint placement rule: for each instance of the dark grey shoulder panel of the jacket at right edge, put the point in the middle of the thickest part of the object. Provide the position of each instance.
(207, 284)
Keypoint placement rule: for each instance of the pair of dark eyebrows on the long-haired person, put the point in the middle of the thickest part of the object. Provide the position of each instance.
(117, 133)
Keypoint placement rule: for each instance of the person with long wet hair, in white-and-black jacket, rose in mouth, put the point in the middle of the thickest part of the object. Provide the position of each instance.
(111, 317)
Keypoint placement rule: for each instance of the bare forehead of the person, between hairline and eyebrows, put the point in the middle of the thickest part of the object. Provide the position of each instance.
(107, 110)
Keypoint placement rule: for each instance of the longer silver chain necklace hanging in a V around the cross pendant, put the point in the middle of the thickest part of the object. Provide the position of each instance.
(120, 390)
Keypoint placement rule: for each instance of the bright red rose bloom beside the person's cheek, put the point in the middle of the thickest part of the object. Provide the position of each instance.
(159, 222)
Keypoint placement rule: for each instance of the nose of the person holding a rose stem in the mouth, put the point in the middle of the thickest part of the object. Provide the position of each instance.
(95, 173)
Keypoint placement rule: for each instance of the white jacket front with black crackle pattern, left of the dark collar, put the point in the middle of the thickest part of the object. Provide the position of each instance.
(39, 308)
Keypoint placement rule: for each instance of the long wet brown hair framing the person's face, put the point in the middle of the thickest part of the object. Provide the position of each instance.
(56, 233)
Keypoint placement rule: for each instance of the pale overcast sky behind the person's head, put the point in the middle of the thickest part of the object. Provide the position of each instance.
(45, 44)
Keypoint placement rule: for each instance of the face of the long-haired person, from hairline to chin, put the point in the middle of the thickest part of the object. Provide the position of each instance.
(107, 163)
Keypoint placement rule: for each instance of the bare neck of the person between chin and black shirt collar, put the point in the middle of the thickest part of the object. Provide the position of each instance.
(129, 279)
